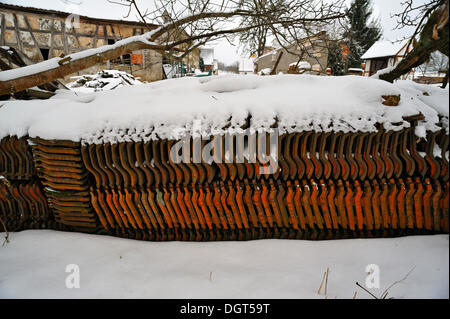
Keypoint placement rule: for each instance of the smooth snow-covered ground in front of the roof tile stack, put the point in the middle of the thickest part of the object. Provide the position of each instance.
(33, 265)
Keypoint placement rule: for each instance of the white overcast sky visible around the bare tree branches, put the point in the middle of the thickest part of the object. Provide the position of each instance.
(383, 9)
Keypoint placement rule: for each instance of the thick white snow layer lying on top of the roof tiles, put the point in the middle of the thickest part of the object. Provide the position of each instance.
(168, 109)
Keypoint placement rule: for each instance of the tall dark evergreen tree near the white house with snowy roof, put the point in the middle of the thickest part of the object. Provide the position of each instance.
(363, 32)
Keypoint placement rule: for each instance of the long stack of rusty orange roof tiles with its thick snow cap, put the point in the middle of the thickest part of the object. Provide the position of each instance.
(348, 166)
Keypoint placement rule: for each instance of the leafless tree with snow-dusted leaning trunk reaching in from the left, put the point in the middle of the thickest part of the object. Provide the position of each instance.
(184, 25)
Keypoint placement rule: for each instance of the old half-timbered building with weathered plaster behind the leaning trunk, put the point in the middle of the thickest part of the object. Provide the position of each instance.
(40, 34)
